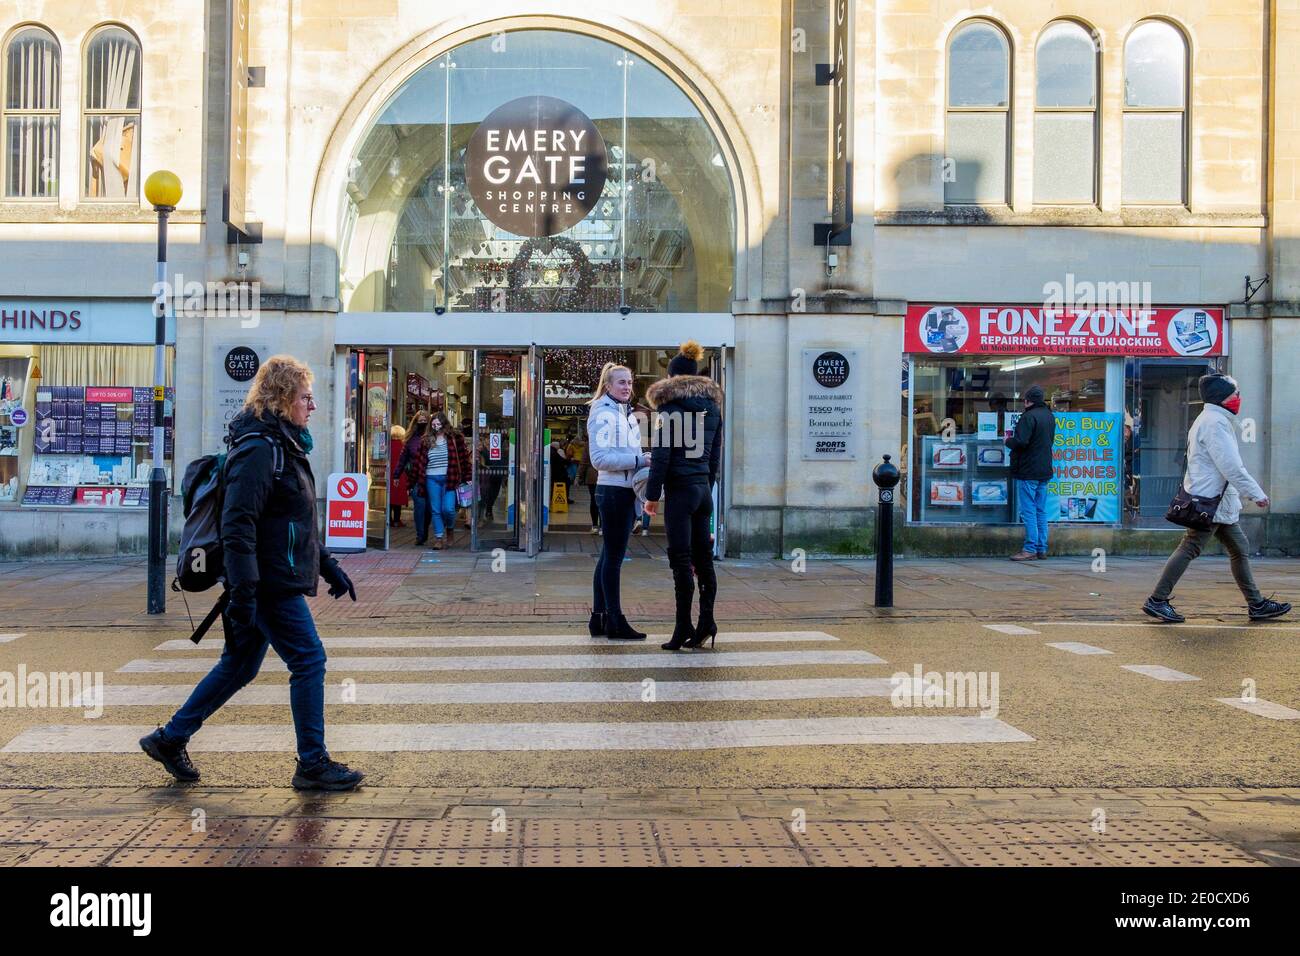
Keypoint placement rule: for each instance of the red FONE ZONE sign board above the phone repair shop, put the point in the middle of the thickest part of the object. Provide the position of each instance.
(1067, 331)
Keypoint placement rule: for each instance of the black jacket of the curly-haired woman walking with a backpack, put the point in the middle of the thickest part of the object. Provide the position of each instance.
(270, 529)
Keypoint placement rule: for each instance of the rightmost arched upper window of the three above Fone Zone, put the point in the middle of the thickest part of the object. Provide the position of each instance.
(1155, 127)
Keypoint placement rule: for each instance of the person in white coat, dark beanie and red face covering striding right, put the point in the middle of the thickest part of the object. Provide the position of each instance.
(1215, 469)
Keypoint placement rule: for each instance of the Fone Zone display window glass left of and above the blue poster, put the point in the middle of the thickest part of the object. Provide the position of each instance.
(960, 413)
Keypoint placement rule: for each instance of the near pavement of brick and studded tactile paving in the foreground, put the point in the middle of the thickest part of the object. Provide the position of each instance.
(651, 828)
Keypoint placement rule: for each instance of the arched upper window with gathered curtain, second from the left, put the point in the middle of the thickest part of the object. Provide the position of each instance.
(112, 116)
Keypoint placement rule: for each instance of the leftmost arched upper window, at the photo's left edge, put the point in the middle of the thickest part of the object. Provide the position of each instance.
(31, 161)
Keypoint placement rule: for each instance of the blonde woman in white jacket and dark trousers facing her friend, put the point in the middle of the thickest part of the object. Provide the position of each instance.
(614, 443)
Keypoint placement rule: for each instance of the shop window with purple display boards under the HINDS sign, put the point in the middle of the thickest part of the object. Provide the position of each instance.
(77, 423)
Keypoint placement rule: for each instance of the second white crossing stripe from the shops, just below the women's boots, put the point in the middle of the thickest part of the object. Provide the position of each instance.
(526, 663)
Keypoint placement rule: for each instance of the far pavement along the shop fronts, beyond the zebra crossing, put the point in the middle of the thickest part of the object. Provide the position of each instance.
(458, 589)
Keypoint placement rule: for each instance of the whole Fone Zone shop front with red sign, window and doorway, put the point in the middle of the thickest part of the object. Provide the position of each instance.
(1121, 382)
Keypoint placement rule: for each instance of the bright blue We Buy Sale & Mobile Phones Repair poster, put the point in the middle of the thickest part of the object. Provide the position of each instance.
(1087, 464)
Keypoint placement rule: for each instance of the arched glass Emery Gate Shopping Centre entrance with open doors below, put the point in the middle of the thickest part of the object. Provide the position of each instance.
(514, 219)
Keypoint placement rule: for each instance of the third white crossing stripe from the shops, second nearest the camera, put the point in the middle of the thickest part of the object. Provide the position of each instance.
(527, 693)
